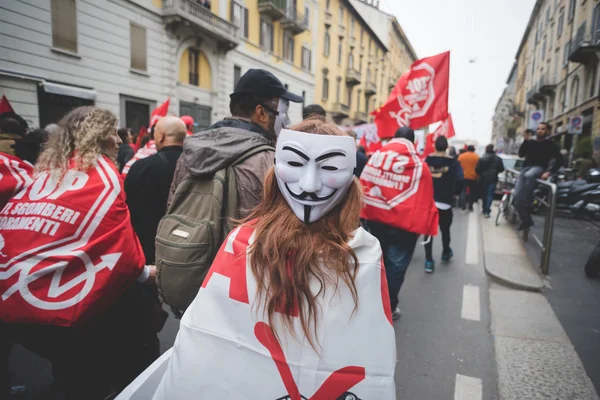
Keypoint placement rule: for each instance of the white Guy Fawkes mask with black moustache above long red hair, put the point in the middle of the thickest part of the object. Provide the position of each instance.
(314, 172)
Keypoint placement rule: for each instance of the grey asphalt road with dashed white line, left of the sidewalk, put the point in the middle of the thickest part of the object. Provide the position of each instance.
(444, 345)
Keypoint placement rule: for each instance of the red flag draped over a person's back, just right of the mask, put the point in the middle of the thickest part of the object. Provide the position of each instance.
(398, 189)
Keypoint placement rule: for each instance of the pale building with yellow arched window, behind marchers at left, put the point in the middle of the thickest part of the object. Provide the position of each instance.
(130, 55)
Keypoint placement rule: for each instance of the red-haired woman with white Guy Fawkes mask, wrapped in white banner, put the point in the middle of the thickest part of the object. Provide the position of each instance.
(292, 291)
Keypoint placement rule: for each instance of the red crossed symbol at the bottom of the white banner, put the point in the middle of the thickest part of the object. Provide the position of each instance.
(336, 386)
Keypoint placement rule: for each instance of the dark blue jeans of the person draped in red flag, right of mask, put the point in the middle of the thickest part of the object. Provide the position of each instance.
(398, 247)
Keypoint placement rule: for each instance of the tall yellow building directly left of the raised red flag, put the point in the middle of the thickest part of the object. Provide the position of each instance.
(361, 54)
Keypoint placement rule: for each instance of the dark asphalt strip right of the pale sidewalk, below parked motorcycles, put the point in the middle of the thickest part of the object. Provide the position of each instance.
(574, 298)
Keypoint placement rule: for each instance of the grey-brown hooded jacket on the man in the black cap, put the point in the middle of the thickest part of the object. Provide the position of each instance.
(204, 153)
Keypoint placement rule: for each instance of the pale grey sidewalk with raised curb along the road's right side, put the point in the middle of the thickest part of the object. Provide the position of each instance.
(534, 357)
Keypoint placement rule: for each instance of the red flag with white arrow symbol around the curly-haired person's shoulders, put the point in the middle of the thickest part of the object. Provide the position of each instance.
(69, 250)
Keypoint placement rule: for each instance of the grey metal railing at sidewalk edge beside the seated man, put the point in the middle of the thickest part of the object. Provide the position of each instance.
(549, 202)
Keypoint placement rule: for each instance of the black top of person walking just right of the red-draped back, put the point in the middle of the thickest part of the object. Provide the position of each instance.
(447, 177)
